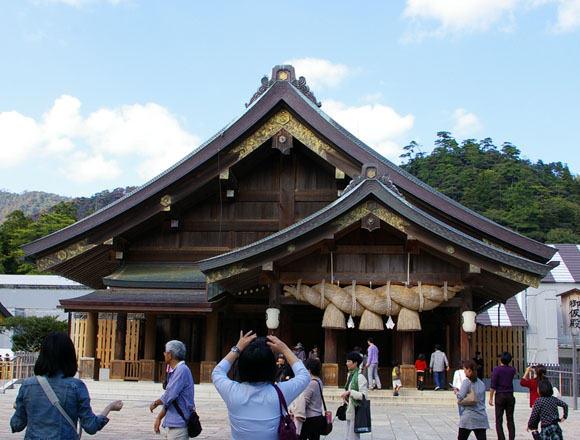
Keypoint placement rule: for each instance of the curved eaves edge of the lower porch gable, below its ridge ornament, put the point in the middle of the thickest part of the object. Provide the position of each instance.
(370, 196)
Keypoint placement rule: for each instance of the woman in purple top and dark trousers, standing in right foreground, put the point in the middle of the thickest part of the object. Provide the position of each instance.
(502, 386)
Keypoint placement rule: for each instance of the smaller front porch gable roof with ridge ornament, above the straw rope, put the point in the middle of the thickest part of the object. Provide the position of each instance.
(380, 198)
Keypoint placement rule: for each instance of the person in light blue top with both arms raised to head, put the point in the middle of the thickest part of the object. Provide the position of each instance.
(253, 403)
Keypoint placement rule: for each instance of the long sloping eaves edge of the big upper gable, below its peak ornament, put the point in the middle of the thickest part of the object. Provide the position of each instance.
(288, 94)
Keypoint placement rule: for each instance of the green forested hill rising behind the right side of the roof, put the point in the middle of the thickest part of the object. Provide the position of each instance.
(539, 200)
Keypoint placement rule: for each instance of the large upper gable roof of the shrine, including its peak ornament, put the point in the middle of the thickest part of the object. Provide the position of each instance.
(293, 95)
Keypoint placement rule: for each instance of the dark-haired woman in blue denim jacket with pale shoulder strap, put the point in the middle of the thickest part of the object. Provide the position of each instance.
(57, 362)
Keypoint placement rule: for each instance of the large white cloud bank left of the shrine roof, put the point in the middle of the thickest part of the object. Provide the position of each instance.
(89, 149)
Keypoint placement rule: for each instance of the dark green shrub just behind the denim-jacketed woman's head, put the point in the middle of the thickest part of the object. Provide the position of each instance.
(29, 333)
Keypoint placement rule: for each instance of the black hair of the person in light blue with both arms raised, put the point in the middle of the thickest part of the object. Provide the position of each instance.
(257, 362)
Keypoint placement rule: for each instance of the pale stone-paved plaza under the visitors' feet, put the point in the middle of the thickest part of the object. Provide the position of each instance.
(389, 422)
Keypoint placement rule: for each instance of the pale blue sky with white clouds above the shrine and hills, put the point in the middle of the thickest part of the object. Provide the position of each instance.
(97, 94)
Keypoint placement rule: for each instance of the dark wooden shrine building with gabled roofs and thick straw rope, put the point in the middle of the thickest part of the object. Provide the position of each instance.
(284, 209)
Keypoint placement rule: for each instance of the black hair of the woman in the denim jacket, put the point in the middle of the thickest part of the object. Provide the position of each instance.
(57, 354)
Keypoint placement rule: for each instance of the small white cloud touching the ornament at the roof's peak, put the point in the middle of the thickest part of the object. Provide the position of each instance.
(319, 73)
